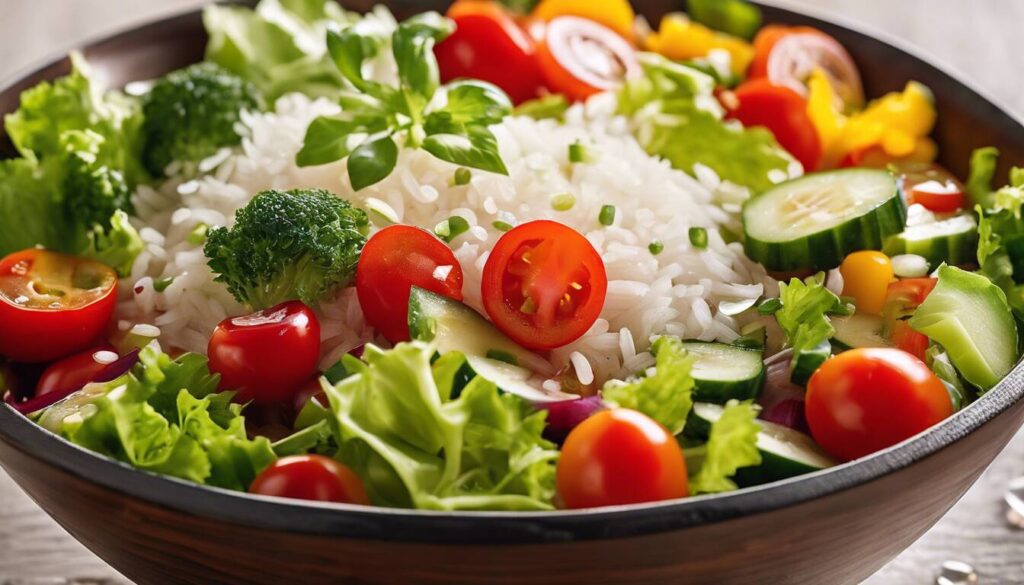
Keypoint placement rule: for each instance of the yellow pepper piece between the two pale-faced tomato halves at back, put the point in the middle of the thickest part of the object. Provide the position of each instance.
(679, 38)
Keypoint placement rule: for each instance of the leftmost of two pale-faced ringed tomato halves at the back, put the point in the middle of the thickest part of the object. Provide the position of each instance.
(580, 58)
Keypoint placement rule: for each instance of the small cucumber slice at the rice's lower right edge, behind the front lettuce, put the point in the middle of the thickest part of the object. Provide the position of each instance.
(726, 372)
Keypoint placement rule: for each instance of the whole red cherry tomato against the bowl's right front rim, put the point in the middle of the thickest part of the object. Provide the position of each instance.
(867, 400)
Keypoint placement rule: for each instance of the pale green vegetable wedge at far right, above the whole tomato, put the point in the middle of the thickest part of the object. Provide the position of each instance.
(969, 317)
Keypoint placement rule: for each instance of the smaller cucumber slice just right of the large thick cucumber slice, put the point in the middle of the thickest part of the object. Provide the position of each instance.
(954, 241)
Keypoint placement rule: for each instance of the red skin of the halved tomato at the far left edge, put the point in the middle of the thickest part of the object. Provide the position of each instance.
(36, 336)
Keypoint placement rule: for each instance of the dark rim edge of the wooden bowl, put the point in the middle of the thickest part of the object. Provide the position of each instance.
(504, 528)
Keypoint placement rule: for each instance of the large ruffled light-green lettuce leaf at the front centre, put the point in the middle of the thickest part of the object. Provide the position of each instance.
(414, 444)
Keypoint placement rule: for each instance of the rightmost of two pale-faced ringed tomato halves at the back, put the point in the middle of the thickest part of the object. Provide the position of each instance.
(788, 56)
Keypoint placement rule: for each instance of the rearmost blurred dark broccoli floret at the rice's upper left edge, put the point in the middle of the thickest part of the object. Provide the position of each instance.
(191, 114)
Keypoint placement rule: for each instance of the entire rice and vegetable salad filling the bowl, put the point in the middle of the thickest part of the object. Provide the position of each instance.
(520, 257)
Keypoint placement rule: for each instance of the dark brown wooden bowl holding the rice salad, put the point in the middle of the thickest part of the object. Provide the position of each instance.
(832, 527)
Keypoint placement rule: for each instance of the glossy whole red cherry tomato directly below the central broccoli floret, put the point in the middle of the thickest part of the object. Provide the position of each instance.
(267, 356)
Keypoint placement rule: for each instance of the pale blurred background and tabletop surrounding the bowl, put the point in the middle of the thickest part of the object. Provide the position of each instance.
(978, 41)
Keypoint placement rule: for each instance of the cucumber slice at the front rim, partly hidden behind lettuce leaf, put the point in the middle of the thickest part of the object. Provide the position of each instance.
(785, 452)
